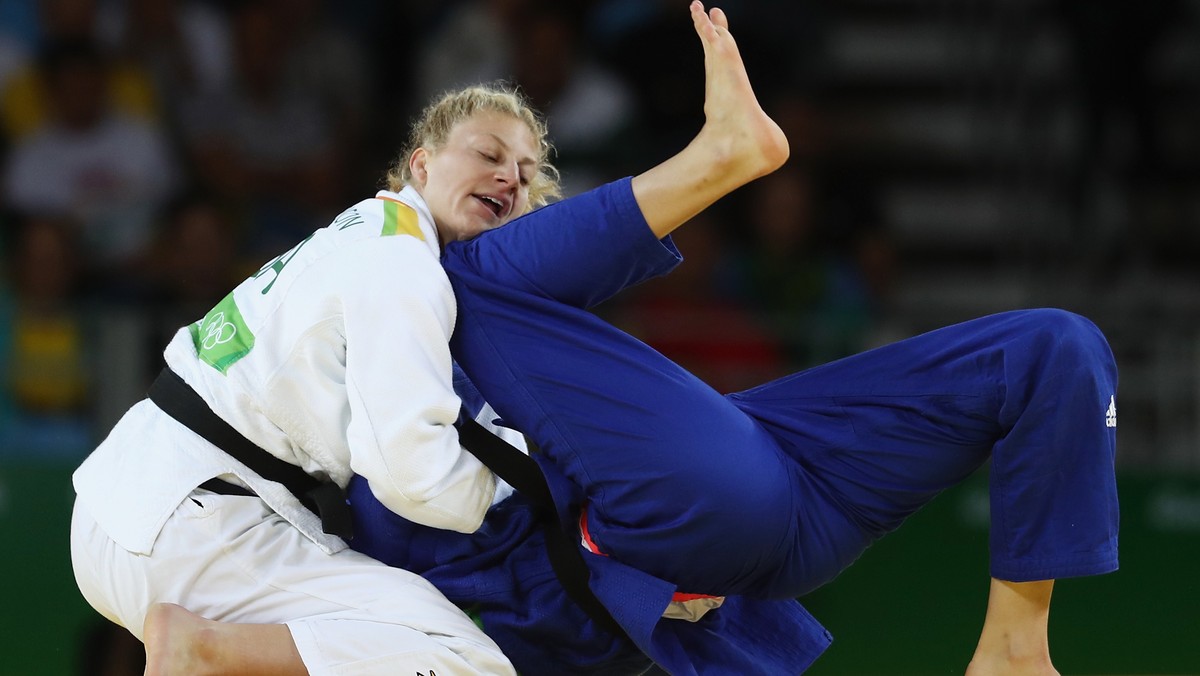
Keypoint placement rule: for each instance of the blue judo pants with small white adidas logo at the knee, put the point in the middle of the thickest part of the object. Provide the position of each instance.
(773, 492)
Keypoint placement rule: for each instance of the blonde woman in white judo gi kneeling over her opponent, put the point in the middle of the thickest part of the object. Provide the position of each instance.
(334, 358)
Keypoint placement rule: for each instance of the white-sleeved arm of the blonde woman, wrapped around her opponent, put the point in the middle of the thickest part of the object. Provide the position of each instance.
(399, 316)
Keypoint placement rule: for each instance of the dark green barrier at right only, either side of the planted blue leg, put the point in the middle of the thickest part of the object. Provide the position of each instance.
(915, 603)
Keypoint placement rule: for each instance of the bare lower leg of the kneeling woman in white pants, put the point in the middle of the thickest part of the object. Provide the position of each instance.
(179, 642)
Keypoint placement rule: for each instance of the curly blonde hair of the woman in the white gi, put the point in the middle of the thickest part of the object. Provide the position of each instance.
(433, 129)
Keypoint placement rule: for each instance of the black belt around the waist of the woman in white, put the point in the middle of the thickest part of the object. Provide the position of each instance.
(325, 499)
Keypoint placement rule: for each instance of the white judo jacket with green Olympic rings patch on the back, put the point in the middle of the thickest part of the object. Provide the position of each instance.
(334, 357)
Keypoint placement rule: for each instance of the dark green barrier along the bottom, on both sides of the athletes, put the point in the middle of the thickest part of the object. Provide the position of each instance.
(914, 605)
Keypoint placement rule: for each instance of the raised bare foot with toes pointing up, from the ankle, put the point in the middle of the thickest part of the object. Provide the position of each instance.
(735, 123)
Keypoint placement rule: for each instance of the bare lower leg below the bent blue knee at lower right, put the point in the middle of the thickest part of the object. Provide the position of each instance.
(1016, 631)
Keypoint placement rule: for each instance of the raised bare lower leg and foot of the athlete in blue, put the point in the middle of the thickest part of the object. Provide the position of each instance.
(737, 145)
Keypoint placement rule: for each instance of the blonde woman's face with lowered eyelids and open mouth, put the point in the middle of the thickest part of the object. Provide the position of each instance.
(479, 180)
